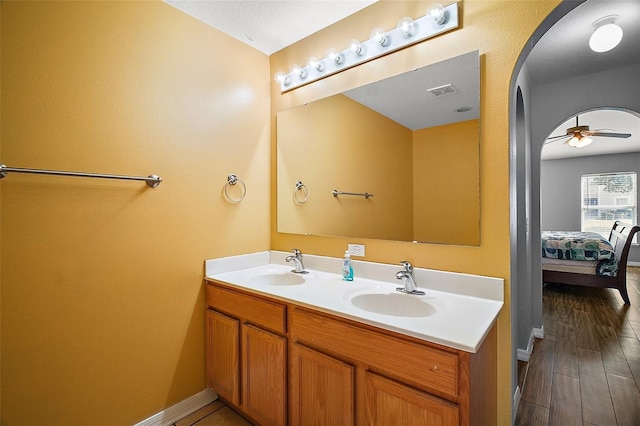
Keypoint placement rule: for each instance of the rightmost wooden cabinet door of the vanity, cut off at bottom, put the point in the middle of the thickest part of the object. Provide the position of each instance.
(389, 403)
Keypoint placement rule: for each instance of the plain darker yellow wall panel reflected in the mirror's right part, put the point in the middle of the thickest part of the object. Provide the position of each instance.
(446, 188)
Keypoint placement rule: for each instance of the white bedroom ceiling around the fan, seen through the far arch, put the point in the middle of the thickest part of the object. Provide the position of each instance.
(612, 120)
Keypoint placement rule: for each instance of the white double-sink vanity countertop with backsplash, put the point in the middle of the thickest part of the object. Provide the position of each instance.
(466, 306)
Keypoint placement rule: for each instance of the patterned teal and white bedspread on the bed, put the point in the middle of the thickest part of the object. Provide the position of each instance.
(587, 246)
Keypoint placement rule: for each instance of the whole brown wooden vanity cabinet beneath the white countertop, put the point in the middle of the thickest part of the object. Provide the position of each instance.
(314, 368)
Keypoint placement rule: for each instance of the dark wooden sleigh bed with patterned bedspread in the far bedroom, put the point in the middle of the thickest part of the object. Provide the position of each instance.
(587, 259)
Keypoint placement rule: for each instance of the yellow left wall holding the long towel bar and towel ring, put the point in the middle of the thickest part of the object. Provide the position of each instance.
(102, 290)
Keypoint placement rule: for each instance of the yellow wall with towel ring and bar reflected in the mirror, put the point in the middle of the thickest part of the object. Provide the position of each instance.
(322, 148)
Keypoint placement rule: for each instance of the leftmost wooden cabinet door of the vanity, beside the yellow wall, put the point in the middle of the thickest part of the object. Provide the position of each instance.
(223, 355)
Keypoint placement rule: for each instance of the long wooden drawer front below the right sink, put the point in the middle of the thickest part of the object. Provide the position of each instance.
(423, 366)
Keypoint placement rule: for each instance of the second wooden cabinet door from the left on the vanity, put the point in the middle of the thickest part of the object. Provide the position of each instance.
(264, 375)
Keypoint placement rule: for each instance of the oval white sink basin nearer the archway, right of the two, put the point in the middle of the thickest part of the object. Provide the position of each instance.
(393, 304)
